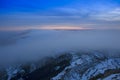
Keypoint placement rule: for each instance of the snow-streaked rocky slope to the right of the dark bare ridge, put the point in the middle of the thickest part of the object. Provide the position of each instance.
(91, 67)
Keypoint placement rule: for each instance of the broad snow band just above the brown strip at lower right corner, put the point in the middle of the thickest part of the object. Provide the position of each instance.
(101, 68)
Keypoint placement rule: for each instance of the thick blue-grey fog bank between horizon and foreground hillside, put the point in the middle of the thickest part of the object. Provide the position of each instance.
(34, 44)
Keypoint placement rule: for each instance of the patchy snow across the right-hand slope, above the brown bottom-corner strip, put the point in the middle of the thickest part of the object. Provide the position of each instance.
(72, 72)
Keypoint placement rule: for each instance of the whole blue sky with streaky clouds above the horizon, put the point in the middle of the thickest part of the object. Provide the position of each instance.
(59, 14)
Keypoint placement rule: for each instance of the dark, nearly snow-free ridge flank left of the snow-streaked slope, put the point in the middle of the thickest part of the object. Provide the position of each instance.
(50, 70)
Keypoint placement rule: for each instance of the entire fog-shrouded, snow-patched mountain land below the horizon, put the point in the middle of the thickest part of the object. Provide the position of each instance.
(39, 55)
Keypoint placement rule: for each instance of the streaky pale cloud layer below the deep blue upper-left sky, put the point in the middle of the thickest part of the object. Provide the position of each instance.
(86, 14)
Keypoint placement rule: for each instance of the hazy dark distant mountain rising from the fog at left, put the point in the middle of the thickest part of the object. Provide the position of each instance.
(11, 37)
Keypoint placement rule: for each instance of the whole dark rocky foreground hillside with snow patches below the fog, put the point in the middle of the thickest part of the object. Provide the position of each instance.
(70, 66)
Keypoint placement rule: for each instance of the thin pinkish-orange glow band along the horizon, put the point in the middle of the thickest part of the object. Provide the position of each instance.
(44, 28)
